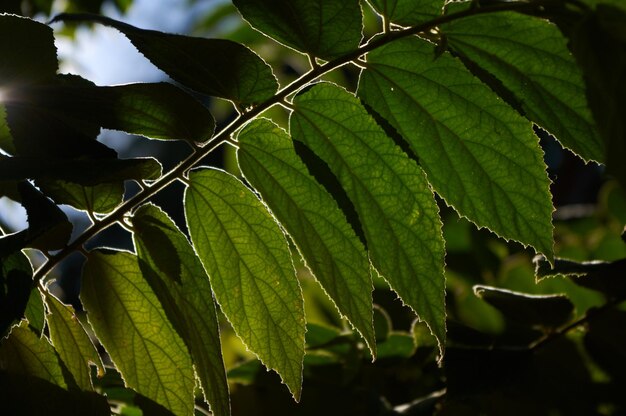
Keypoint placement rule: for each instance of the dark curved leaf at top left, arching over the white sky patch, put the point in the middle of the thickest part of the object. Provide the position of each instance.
(217, 67)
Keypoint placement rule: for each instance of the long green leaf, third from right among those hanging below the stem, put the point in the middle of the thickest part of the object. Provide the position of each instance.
(394, 202)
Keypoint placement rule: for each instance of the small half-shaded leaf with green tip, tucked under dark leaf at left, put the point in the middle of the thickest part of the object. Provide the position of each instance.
(101, 198)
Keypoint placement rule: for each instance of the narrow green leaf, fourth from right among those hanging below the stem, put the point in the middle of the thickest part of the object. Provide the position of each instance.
(311, 216)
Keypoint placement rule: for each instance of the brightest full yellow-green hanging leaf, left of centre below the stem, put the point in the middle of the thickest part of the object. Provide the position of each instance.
(247, 258)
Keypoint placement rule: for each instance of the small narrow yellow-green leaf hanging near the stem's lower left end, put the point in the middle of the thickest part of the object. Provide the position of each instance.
(72, 342)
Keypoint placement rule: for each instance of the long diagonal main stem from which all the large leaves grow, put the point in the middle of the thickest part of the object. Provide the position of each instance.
(224, 135)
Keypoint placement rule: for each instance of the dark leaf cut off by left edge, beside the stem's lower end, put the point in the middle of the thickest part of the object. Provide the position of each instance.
(15, 288)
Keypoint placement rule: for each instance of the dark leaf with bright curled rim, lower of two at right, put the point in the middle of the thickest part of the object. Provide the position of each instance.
(547, 311)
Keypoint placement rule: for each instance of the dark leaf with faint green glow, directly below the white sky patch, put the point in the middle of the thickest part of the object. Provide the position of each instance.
(157, 110)
